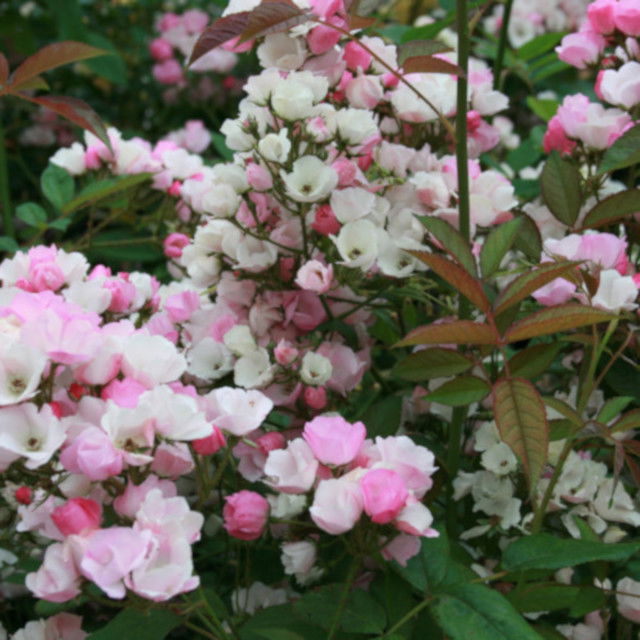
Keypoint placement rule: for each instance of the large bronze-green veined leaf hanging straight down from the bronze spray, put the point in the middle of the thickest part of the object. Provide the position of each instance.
(522, 422)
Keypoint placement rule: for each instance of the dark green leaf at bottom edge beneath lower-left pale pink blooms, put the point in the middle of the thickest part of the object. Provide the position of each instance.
(131, 623)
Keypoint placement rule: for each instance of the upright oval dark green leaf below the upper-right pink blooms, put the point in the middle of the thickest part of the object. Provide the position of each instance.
(561, 188)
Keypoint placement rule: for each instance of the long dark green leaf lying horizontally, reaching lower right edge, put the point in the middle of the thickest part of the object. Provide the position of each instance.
(545, 551)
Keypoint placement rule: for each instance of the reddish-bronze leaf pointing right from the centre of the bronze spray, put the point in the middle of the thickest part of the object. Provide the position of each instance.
(555, 319)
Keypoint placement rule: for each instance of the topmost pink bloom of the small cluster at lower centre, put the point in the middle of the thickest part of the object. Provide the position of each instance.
(333, 440)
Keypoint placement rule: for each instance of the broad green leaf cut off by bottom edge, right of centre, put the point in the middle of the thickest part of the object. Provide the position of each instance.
(476, 611)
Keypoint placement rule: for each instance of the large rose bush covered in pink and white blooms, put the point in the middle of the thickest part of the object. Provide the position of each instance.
(383, 384)
